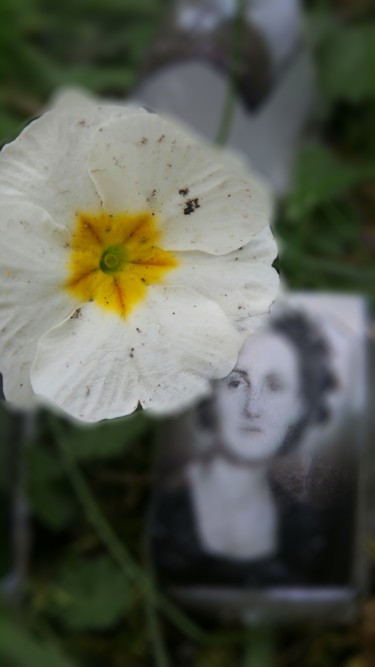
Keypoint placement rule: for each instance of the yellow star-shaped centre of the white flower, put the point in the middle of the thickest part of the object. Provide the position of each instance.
(114, 258)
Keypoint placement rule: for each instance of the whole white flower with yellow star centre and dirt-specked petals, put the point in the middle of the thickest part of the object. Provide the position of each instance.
(132, 262)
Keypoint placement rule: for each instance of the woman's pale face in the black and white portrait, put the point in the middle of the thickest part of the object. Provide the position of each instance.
(258, 402)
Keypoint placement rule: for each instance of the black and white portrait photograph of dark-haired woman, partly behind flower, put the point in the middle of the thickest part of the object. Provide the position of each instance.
(258, 486)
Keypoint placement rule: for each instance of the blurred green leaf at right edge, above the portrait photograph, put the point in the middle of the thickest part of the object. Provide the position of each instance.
(321, 177)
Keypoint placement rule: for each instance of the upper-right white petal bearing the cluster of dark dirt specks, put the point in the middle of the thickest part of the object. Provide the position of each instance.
(143, 162)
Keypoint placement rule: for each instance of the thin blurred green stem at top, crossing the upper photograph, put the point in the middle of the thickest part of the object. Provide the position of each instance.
(230, 97)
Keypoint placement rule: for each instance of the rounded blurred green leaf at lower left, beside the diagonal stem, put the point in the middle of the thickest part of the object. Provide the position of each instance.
(91, 595)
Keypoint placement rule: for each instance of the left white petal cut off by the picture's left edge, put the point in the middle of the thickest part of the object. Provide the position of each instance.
(32, 259)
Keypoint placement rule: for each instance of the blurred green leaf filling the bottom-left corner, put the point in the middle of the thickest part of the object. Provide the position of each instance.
(23, 649)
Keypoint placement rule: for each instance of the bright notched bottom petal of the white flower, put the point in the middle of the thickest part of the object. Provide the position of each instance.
(97, 366)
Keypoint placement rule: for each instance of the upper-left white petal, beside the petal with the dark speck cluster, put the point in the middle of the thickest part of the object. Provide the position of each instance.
(47, 165)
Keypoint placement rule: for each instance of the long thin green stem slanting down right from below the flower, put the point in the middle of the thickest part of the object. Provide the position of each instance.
(119, 553)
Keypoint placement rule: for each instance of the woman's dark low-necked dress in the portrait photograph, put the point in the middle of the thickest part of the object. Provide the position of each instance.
(314, 546)
